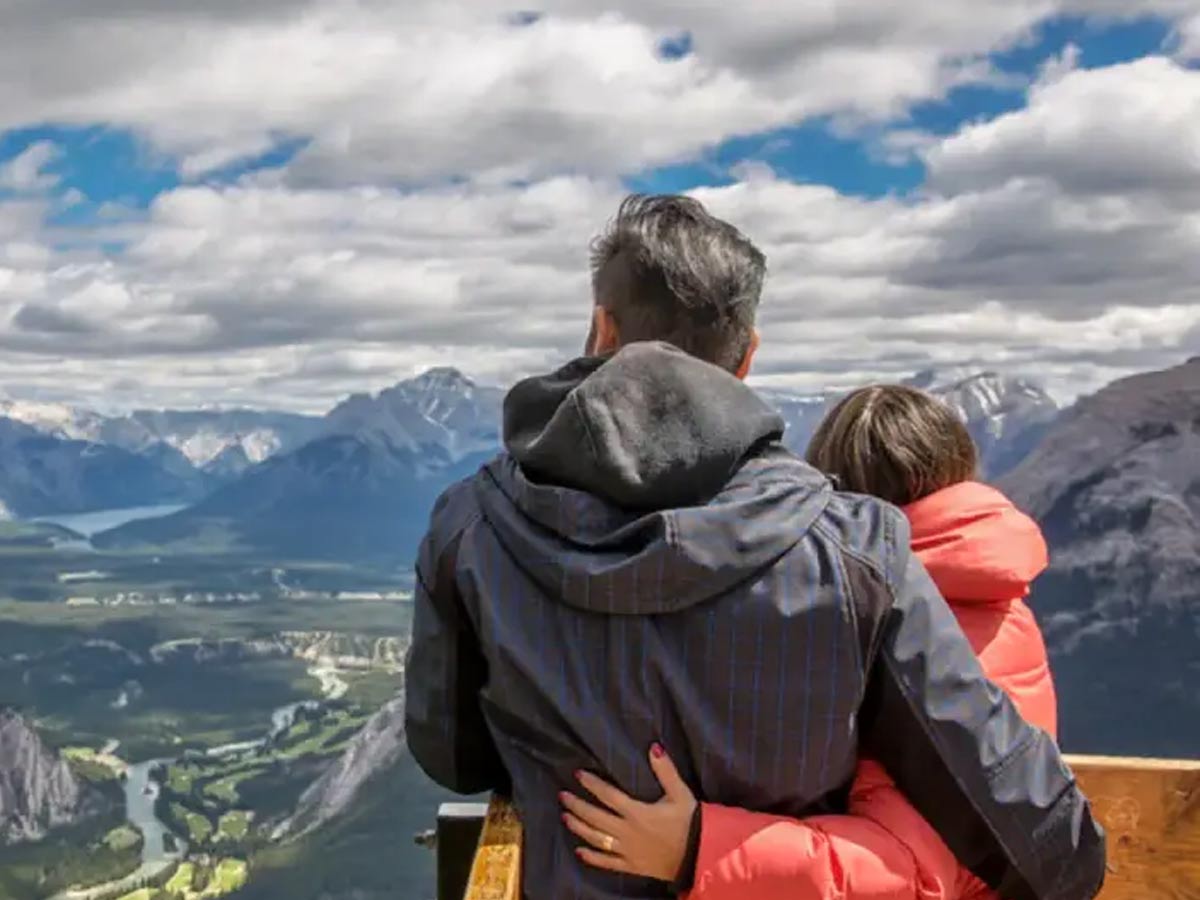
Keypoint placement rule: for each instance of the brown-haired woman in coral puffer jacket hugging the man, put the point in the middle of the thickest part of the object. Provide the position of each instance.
(910, 449)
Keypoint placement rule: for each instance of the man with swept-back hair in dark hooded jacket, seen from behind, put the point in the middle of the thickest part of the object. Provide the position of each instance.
(646, 565)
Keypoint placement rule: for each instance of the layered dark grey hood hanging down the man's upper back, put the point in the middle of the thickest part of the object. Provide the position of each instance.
(645, 483)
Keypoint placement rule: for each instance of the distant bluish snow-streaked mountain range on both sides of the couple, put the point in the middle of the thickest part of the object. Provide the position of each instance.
(358, 483)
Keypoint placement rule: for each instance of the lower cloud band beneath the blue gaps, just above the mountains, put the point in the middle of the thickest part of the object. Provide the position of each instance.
(286, 297)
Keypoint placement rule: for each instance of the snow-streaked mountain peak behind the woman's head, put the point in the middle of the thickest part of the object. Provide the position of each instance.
(1005, 416)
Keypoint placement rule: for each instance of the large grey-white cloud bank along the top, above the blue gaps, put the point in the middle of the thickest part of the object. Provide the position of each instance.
(431, 89)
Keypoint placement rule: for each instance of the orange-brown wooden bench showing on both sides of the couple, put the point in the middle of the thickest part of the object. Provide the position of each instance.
(1150, 809)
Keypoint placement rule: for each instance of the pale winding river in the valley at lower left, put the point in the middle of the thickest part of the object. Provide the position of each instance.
(142, 791)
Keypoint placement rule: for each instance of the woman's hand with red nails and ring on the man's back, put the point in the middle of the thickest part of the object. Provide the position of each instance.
(646, 839)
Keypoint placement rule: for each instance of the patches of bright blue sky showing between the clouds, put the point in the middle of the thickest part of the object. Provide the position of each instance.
(112, 166)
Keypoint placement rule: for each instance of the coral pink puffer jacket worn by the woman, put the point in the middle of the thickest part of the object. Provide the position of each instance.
(982, 554)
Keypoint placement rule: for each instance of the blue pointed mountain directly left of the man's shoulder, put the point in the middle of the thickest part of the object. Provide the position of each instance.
(361, 491)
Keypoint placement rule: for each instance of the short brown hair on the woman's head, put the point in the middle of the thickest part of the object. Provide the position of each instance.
(893, 442)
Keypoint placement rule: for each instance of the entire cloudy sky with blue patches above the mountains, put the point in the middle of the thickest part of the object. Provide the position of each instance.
(281, 202)
